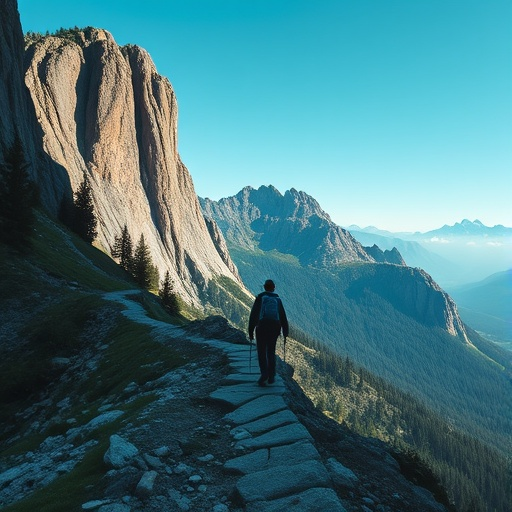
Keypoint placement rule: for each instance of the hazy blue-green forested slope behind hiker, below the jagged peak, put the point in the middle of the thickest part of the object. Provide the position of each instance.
(359, 320)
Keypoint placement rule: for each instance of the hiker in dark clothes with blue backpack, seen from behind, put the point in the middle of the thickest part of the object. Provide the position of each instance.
(267, 318)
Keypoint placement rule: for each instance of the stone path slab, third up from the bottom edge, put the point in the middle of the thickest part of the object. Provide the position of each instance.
(276, 456)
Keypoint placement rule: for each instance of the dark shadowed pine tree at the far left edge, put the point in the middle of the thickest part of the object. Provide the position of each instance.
(18, 196)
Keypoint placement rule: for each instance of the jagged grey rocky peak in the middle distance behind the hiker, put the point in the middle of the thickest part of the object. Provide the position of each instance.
(292, 223)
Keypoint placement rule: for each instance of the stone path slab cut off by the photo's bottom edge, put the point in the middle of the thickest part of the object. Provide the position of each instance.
(312, 500)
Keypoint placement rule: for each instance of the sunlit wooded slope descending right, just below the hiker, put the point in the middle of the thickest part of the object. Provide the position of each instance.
(474, 475)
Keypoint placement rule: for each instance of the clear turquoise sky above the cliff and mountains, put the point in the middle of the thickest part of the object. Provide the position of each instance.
(392, 113)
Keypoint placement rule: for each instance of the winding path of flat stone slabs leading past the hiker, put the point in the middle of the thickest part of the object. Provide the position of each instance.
(280, 466)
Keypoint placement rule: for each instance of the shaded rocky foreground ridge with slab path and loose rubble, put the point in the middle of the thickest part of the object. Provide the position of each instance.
(209, 439)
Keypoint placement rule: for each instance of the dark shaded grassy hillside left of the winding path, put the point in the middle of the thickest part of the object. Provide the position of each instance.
(52, 310)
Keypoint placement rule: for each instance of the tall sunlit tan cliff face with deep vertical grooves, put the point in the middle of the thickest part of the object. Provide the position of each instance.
(106, 112)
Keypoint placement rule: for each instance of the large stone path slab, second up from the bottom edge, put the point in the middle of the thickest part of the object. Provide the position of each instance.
(282, 481)
